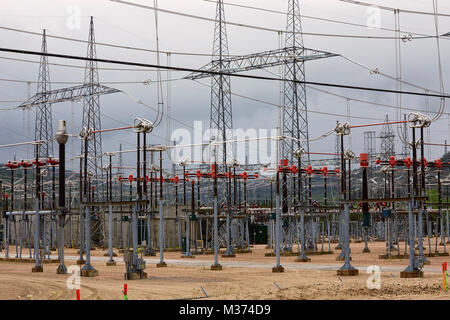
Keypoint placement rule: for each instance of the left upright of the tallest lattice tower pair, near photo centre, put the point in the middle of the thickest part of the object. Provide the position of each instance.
(221, 113)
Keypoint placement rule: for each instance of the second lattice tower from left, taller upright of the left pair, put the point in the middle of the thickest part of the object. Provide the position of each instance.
(91, 114)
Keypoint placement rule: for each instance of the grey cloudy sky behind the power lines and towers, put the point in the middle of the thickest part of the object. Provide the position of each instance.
(120, 24)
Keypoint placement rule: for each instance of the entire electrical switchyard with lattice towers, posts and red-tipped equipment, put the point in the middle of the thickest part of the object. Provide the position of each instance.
(211, 207)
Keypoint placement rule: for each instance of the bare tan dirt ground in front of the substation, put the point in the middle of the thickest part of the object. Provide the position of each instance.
(247, 276)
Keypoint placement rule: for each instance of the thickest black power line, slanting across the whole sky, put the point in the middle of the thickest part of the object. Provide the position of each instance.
(190, 70)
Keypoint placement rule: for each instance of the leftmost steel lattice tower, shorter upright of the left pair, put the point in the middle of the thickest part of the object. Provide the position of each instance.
(43, 124)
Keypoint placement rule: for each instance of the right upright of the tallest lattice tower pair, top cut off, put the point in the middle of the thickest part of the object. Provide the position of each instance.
(295, 113)
